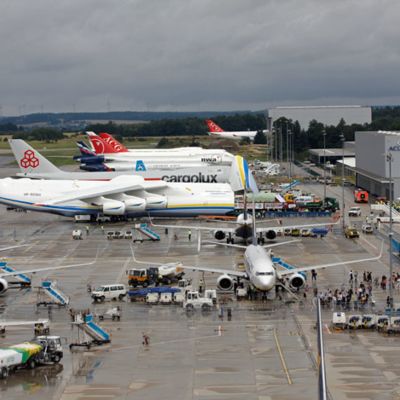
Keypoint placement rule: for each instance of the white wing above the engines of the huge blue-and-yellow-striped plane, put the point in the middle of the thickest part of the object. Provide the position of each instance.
(120, 184)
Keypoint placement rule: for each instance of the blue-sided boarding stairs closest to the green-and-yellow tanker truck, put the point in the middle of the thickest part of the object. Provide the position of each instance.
(92, 332)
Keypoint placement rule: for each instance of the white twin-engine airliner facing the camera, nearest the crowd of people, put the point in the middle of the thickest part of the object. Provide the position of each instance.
(263, 274)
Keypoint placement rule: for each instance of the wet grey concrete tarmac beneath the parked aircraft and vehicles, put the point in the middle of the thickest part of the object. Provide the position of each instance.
(266, 351)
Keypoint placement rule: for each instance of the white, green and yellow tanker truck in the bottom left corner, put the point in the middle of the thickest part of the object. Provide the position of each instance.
(42, 350)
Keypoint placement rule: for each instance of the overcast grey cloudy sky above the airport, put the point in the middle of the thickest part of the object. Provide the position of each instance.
(168, 55)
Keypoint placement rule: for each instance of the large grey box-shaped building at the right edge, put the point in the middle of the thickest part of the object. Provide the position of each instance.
(372, 165)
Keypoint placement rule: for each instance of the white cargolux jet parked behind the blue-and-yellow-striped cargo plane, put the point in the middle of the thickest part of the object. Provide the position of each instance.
(33, 165)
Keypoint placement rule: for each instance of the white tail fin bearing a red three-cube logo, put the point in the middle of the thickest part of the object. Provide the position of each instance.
(30, 160)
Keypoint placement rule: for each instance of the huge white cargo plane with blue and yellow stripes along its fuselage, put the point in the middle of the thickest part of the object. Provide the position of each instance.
(129, 196)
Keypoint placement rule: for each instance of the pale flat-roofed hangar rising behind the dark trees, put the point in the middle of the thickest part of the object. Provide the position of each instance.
(328, 115)
